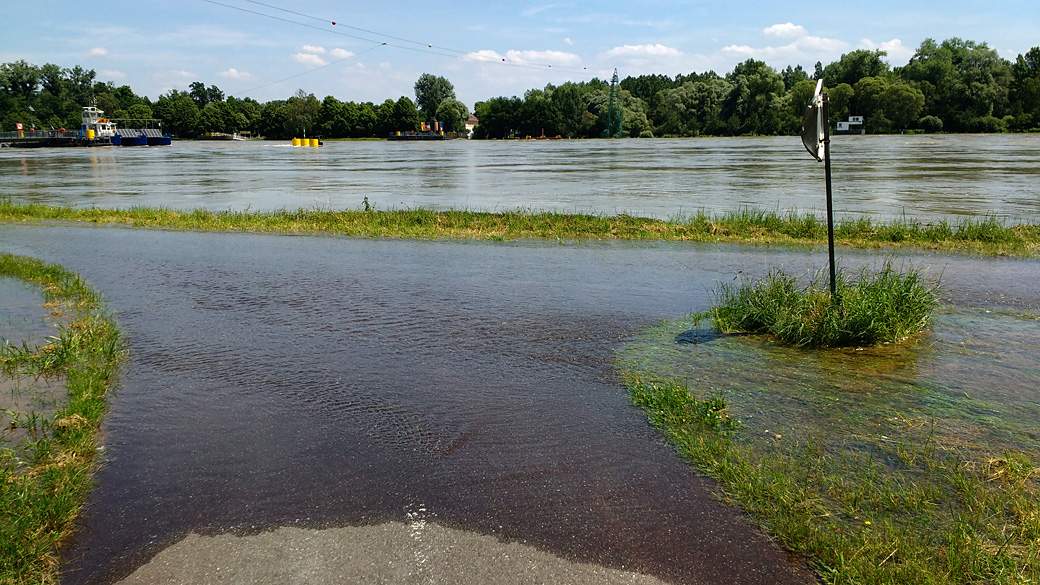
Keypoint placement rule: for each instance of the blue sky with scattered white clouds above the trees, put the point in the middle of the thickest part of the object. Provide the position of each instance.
(373, 52)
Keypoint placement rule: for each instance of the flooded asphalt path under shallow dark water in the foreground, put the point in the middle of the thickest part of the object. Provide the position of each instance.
(358, 386)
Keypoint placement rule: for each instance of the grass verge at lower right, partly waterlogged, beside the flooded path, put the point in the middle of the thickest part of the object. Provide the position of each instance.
(869, 512)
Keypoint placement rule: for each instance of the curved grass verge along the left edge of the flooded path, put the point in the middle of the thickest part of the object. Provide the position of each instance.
(45, 479)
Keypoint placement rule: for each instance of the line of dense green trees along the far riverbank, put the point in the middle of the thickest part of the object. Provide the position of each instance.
(954, 87)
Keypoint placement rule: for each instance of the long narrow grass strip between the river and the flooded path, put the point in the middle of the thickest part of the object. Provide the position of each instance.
(987, 237)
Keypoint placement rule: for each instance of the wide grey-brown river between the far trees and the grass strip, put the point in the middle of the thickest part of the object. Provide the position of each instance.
(920, 177)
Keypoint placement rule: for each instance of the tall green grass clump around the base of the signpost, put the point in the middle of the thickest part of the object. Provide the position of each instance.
(886, 307)
